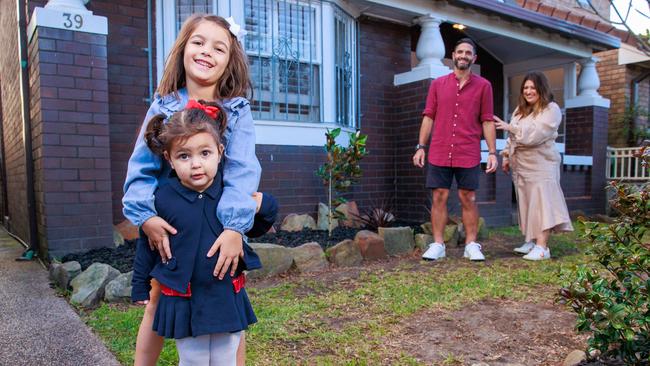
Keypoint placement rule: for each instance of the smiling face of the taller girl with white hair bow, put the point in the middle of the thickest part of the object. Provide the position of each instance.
(206, 54)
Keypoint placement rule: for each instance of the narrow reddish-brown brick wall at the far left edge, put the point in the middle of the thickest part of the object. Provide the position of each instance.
(12, 122)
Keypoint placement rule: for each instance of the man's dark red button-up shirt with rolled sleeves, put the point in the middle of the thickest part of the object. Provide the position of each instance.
(457, 116)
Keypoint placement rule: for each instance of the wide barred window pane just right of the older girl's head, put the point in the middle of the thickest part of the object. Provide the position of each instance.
(281, 45)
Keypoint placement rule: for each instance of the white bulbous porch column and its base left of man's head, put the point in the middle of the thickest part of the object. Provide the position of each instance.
(430, 51)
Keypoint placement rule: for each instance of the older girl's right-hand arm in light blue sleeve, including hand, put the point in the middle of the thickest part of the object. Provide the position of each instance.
(236, 208)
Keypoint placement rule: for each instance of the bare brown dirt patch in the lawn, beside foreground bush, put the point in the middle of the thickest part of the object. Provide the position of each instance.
(497, 332)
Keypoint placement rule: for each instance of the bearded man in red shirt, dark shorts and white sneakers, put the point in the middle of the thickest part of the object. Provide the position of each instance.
(458, 109)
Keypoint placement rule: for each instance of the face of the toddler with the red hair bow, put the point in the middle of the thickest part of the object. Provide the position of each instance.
(195, 160)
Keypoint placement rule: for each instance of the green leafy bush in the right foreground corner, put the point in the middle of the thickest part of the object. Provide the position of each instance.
(610, 294)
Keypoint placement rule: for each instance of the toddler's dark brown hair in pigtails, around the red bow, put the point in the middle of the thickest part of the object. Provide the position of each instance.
(162, 133)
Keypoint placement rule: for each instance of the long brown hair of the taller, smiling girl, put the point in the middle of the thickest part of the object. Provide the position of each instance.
(235, 81)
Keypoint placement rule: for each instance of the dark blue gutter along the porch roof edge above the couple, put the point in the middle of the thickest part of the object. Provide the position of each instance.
(530, 17)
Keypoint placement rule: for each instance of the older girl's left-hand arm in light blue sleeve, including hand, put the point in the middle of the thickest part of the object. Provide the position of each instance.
(141, 181)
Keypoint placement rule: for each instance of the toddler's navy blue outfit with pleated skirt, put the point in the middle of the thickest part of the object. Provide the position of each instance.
(214, 306)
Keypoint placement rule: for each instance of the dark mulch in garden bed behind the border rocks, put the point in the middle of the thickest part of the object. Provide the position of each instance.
(121, 258)
